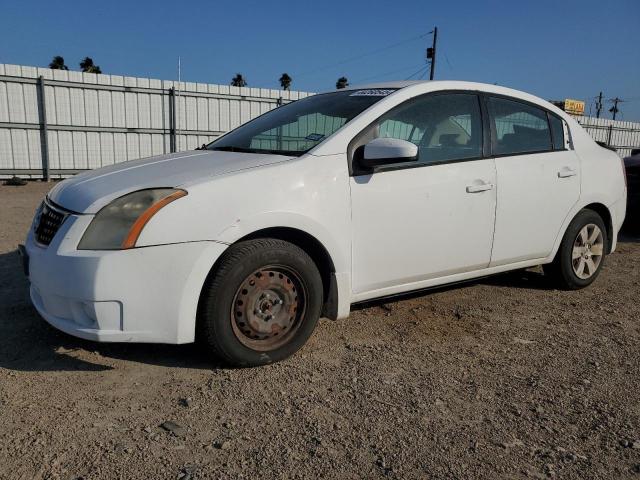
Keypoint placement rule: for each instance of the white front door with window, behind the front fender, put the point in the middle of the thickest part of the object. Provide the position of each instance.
(432, 218)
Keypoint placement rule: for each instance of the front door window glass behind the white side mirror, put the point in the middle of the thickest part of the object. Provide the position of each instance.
(445, 127)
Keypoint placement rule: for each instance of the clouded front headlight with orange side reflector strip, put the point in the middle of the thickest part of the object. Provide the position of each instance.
(119, 224)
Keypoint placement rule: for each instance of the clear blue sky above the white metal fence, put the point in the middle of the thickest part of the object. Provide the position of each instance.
(552, 48)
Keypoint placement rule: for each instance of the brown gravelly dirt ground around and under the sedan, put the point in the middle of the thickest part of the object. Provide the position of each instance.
(503, 378)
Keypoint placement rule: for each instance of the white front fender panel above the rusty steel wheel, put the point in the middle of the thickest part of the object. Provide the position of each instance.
(309, 193)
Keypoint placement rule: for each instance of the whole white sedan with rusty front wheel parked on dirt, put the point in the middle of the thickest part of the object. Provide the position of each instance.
(335, 199)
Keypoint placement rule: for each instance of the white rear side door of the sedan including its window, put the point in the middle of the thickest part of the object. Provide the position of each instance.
(538, 179)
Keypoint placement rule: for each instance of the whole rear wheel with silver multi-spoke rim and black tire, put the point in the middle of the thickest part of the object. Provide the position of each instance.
(581, 253)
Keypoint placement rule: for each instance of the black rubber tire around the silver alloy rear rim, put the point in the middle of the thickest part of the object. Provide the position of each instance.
(561, 271)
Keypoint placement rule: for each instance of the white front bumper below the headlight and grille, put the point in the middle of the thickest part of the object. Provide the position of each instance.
(147, 294)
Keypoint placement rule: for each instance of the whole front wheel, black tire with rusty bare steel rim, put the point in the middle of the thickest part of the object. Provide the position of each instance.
(293, 274)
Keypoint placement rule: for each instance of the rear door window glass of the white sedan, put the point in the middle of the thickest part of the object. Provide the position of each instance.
(518, 127)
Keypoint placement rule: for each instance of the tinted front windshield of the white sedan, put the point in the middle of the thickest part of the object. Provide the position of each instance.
(299, 126)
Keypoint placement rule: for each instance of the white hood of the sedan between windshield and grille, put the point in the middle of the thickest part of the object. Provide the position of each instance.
(88, 192)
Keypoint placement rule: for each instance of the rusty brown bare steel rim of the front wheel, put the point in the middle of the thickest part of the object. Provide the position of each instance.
(268, 307)
